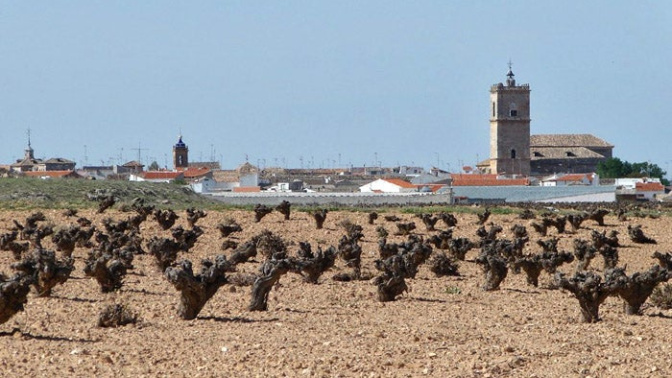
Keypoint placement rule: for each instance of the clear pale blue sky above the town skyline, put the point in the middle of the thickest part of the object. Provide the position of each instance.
(398, 82)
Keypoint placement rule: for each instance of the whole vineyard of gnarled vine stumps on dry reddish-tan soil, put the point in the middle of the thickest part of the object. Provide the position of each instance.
(133, 290)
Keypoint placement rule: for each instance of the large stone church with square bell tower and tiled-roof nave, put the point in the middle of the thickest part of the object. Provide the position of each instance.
(515, 152)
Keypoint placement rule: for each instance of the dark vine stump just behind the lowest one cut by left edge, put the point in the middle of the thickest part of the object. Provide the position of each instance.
(45, 270)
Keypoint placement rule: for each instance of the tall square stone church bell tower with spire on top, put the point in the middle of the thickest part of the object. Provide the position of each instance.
(510, 128)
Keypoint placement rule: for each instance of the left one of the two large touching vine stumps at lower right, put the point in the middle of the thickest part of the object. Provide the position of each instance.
(589, 290)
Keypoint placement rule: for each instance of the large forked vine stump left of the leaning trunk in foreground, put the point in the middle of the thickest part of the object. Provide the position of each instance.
(196, 290)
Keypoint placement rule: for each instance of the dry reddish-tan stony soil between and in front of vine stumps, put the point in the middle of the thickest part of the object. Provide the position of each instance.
(443, 327)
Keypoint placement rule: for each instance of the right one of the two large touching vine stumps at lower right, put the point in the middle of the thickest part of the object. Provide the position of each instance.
(636, 289)
